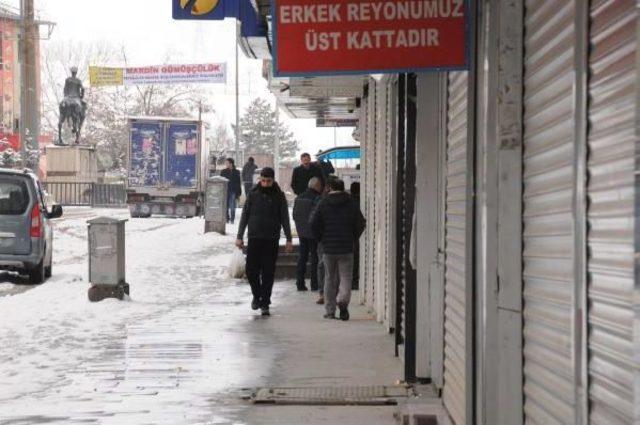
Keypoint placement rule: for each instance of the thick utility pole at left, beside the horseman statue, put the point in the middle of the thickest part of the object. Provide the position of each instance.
(29, 103)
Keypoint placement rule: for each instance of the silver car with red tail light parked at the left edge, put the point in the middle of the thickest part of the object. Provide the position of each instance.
(26, 234)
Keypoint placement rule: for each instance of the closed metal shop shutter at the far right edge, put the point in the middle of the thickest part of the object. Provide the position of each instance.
(612, 140)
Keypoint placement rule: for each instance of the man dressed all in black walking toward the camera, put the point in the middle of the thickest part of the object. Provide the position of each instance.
(265, 213)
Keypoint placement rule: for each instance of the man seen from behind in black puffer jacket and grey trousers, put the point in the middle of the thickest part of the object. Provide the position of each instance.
(337, 224)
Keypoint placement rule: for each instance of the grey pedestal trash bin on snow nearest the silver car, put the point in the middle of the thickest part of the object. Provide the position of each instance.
(107, 258)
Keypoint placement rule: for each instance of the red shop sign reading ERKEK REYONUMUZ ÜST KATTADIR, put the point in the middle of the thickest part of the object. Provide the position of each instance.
(331, 37)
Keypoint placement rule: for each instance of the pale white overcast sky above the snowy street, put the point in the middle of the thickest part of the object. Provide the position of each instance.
(147, 31)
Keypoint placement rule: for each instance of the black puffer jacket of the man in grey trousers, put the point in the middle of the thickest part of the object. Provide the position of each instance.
(337, 223)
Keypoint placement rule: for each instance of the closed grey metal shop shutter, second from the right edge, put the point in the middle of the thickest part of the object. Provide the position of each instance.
(548, 235)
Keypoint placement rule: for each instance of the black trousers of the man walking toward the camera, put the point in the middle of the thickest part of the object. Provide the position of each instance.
(261, 268)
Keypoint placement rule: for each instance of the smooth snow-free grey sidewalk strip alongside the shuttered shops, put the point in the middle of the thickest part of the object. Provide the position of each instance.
(314, 352)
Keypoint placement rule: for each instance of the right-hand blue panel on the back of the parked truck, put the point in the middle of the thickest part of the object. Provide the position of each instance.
(182, 154)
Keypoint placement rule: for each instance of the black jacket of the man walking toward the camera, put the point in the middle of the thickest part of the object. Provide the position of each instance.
(265, 212)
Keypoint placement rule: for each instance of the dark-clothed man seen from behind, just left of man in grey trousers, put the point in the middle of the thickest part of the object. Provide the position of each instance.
(302, 209)
